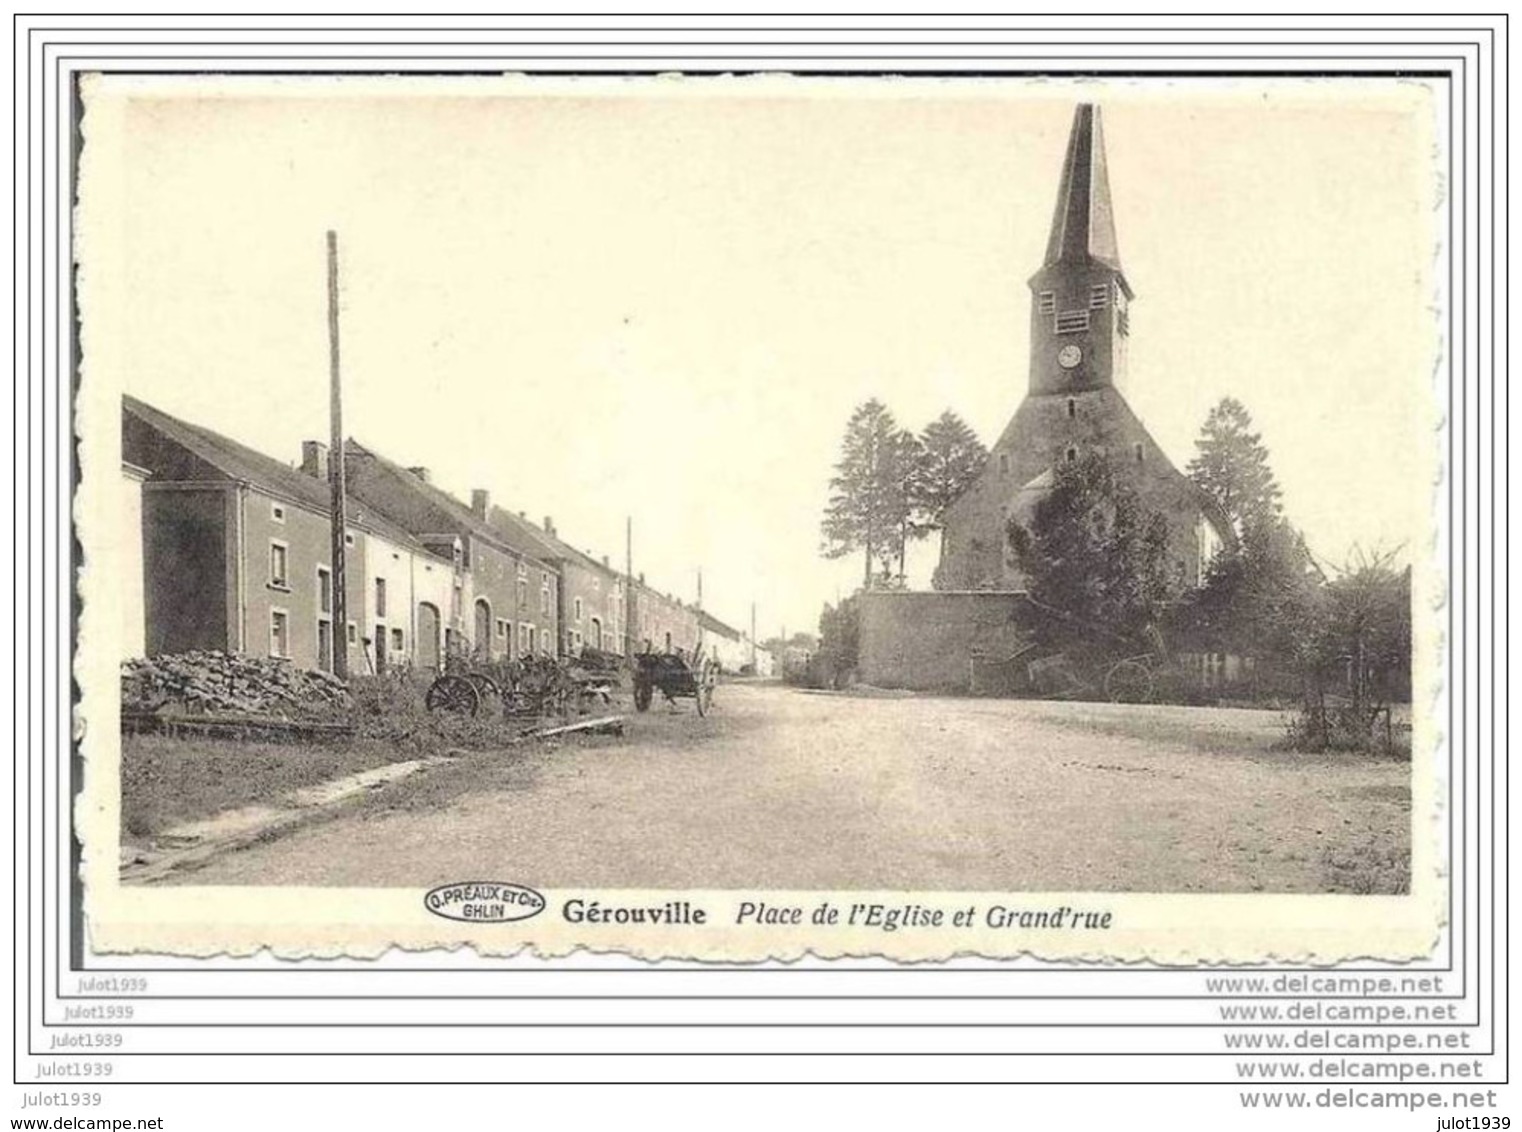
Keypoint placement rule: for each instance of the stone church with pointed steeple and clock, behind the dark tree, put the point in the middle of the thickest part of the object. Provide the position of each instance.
(1074, 407)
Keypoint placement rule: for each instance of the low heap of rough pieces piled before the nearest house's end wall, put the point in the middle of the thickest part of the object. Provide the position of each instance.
(223, 682)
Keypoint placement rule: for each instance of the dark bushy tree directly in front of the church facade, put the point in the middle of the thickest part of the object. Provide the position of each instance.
(1097, 552)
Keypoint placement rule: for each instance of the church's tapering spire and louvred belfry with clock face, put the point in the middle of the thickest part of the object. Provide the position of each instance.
(1080, 319)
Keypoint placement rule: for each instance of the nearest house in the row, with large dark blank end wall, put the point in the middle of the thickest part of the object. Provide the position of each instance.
(238, 549)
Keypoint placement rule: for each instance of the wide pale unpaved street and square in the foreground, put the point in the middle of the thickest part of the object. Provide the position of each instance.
(782, 789)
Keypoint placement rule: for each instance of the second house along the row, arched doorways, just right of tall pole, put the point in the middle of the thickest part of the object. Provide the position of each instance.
(506, 596)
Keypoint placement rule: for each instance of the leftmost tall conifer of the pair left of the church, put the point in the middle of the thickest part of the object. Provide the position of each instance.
(870, 504)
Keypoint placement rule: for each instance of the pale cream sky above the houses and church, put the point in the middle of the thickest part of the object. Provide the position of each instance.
(663, 297)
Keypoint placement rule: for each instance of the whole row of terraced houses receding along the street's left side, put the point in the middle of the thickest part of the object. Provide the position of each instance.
(235, 555)
